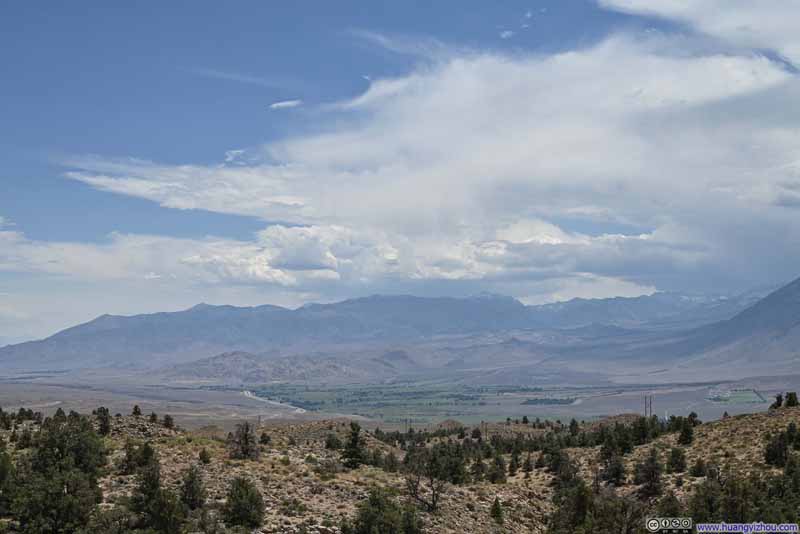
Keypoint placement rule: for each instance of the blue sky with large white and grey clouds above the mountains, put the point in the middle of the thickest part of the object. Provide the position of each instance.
(155, 155)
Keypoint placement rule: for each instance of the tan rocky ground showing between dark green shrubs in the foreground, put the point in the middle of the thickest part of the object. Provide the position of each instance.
(307, 491)
